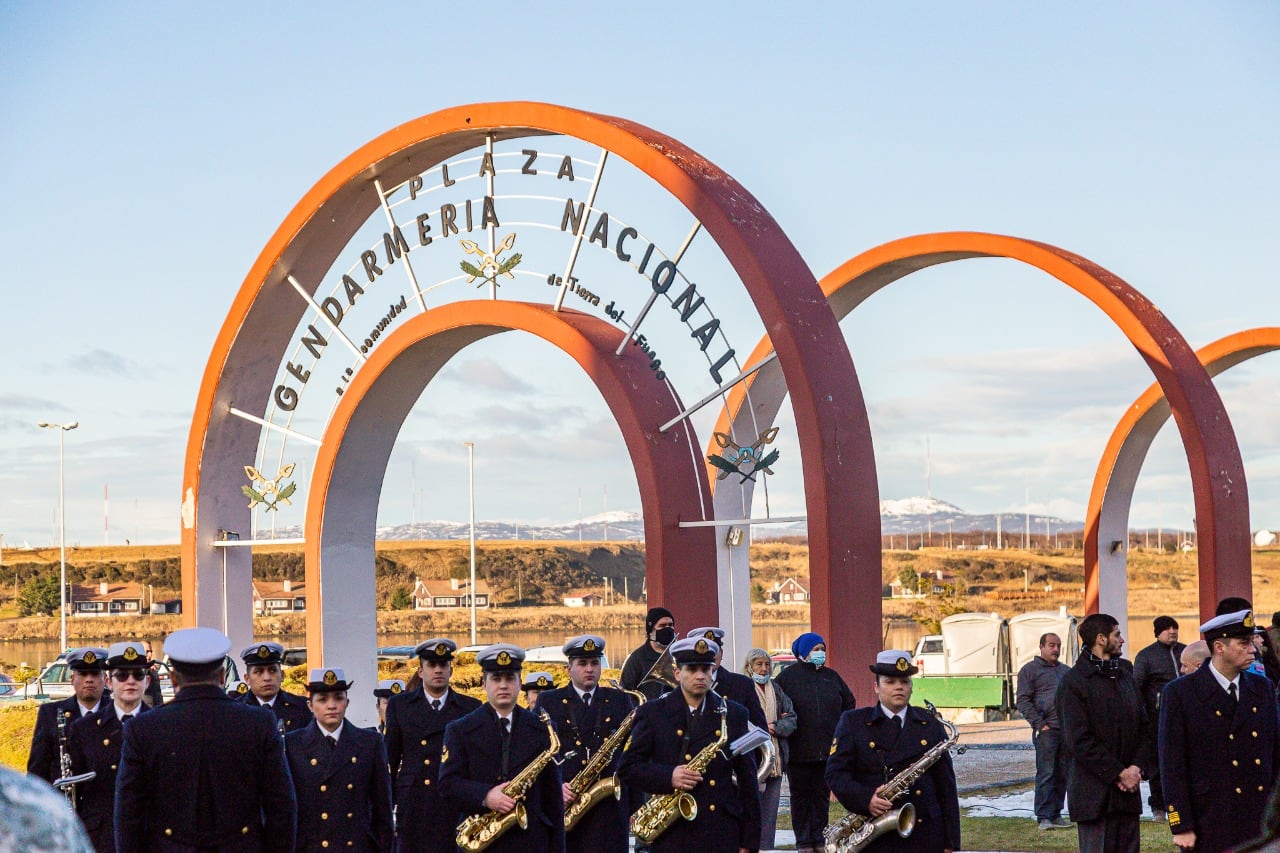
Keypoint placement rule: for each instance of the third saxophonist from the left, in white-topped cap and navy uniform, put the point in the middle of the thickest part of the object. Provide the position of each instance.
(670, 733)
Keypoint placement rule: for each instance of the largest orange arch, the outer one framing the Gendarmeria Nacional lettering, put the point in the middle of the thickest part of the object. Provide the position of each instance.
(840, 482)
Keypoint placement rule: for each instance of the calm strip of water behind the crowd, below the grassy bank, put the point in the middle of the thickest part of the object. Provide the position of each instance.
(620, 641)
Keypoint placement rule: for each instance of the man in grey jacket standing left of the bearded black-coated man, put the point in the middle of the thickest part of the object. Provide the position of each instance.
(1037, 691)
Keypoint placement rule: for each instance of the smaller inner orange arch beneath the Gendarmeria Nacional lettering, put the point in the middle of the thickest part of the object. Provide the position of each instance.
(358, 444)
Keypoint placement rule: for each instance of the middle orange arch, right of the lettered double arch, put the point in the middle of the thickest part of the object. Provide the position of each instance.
(1213, 453)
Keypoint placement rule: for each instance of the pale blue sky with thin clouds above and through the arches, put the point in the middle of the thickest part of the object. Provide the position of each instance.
(150, 152)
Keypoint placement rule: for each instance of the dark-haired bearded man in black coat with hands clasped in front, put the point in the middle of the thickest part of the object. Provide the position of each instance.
(1108, 738)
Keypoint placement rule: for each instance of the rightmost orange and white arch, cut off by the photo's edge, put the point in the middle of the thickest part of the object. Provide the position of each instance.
(1108, 518)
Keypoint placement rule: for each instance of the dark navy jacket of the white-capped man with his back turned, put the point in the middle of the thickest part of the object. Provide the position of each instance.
(204, 773)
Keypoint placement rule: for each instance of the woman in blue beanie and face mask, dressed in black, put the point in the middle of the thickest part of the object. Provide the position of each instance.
(820, 697)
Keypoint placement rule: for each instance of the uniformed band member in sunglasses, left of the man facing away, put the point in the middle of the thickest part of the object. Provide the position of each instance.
(95, 742)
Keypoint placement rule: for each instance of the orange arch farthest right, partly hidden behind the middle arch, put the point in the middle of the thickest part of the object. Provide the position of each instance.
(1127, 450)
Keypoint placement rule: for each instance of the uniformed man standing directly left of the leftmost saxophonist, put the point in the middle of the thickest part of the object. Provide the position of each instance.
(415, 737)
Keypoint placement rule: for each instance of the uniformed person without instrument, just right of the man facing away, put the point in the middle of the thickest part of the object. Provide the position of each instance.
(340, 774)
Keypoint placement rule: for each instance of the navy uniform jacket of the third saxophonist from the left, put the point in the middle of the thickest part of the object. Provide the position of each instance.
(729, 813)
